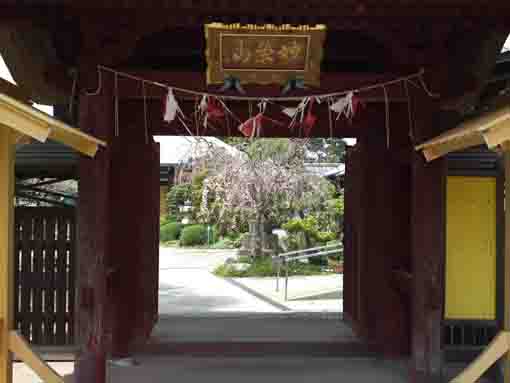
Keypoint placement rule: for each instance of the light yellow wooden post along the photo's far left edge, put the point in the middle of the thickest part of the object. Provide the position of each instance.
(6, 251)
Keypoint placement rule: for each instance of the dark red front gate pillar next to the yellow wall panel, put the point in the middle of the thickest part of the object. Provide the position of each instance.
(428, 249)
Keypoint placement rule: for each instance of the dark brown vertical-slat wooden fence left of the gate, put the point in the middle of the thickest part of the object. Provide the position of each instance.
(45, 274)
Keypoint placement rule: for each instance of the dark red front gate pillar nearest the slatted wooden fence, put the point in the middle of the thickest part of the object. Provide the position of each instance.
(94, 239)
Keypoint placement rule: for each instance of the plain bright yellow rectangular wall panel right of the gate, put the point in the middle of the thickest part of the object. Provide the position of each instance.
(471, 248)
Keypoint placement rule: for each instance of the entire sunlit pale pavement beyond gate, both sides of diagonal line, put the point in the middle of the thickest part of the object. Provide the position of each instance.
(188, 287)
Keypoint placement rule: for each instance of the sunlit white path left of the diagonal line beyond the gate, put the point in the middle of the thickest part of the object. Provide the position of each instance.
(188, 287)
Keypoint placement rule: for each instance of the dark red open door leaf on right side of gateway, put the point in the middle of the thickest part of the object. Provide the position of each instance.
(378, 240)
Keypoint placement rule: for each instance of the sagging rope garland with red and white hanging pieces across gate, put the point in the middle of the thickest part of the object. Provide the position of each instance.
(212, 109)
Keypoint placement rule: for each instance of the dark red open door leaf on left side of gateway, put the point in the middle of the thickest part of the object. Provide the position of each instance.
(133, 282)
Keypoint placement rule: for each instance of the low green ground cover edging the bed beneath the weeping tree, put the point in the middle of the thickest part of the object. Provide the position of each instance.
(263, 267)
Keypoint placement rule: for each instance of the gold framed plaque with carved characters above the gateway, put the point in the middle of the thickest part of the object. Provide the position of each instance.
(264, 54)
